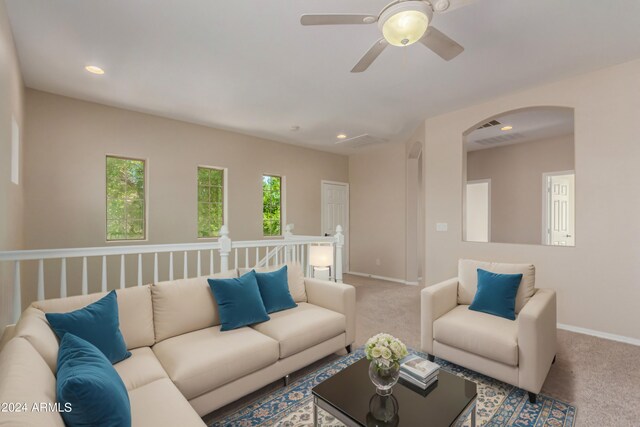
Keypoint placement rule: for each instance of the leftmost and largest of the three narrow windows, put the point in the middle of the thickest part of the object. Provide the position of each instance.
(125, 199)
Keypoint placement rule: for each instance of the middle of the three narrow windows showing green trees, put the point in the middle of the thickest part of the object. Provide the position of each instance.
(211, 184)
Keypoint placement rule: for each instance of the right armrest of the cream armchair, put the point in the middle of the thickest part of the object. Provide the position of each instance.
(536, 339)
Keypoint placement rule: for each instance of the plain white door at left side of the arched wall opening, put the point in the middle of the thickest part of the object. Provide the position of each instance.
(478, 212)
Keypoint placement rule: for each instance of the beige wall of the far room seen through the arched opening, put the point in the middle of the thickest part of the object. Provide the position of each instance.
(516, 184)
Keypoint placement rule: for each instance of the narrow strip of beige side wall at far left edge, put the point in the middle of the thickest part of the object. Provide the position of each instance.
(11, 195)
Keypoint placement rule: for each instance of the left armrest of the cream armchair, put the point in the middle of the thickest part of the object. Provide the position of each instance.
(435, 301)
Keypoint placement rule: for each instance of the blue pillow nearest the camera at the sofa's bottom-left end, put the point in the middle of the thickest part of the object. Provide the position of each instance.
(88, 384)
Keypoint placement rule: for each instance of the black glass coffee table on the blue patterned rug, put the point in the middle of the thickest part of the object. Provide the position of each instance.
(350, 397)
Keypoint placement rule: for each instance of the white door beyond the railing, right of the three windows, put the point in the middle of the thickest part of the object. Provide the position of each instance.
(335, 211)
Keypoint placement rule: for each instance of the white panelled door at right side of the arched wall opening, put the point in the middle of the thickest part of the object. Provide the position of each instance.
(560, 207)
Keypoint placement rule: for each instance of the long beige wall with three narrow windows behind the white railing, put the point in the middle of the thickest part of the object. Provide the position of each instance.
(67, 141)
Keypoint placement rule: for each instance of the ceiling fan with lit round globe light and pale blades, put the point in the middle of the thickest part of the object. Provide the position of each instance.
(402, 22)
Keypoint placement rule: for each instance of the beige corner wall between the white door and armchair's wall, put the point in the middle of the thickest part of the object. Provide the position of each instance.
(383, 211)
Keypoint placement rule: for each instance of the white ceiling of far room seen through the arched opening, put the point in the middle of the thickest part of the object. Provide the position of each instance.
(531, 124)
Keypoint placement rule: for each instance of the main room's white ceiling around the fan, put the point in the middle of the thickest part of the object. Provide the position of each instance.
(249, 66)
